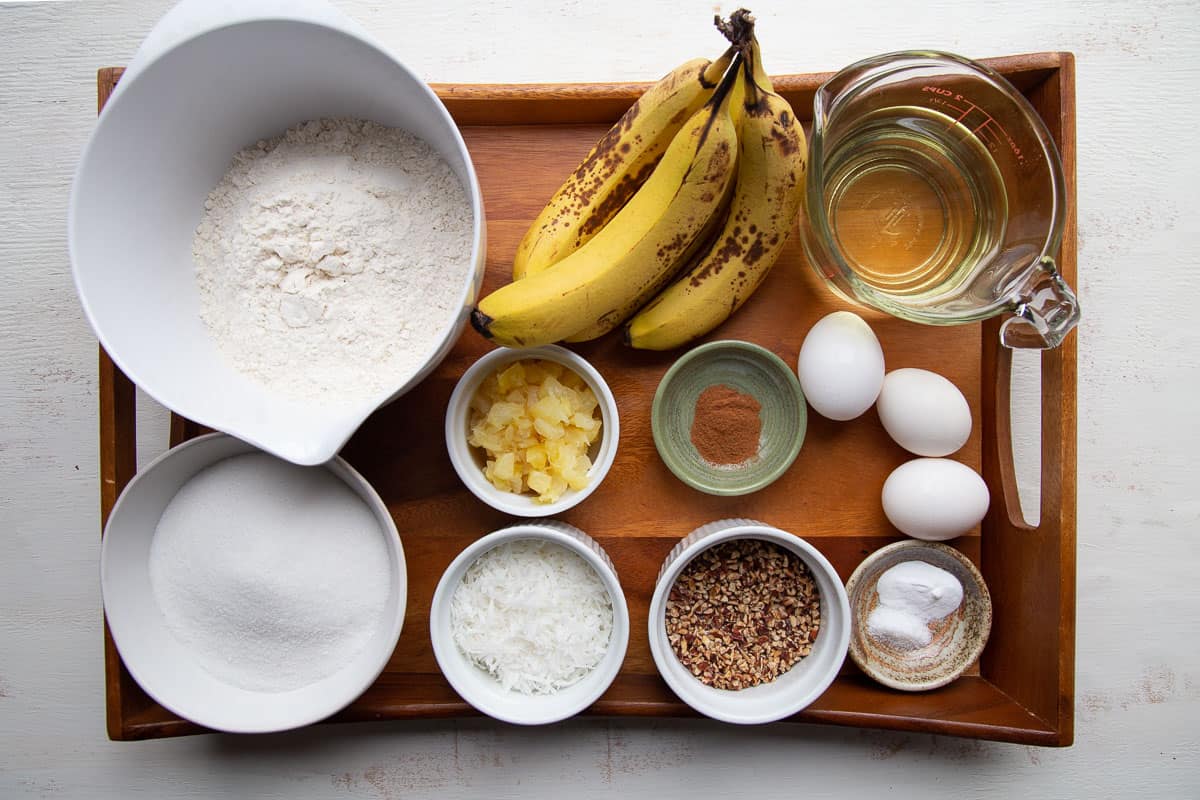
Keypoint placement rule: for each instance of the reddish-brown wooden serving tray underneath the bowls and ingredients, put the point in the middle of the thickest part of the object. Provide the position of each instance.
(525, 141)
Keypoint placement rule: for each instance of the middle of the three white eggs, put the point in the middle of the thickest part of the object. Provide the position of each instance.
(925, 412)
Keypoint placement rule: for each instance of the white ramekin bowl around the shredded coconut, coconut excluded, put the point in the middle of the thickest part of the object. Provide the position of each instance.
(483, 691)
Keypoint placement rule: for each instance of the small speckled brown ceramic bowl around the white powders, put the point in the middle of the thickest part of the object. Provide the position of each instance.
(958, 639)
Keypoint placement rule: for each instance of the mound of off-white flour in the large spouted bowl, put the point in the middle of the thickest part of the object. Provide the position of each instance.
(332, 260)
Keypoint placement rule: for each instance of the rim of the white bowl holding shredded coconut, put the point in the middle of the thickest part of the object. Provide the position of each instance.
(452, 661)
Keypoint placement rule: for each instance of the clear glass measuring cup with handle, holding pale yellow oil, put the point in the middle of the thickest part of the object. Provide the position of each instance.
(935, 194)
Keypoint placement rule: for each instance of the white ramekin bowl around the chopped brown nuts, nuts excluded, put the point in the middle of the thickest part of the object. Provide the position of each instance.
(793, 691)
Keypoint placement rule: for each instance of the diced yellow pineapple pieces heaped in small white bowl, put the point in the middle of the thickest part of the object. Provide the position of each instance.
(536, 422)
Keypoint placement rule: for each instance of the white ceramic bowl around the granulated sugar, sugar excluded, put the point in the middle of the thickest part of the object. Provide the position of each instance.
(164, 667)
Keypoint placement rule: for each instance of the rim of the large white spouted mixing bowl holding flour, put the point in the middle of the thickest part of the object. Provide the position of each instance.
(351, 416)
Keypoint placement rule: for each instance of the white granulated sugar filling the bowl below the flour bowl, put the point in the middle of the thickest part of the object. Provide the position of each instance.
(274, 576)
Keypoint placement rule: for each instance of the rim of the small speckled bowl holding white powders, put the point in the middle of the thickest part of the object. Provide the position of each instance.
(856, 585)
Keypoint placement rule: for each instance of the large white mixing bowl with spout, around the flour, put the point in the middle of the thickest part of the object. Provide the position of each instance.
(202, 88)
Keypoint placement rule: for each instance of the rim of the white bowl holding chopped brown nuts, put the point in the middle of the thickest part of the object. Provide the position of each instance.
(710, 536)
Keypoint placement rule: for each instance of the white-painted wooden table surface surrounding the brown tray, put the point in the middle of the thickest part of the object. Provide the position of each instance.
(1139, 509)
